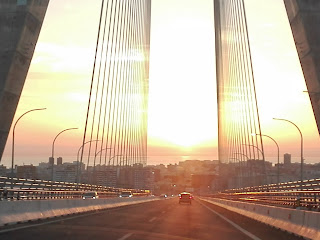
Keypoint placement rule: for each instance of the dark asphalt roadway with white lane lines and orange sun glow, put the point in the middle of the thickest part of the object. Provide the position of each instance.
(164, 219)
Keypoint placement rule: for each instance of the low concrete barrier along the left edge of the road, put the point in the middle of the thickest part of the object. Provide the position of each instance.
(12, 212)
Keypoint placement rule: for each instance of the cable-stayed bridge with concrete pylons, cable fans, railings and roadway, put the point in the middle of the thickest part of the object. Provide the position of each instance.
(115, 131)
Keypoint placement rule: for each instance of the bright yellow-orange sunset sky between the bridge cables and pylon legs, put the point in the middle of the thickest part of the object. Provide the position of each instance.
(182, 96)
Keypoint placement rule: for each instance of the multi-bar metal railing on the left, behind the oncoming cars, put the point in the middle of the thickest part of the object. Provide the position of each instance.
(31, 189)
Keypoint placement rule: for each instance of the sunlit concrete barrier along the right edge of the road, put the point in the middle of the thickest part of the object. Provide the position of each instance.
(300, 222)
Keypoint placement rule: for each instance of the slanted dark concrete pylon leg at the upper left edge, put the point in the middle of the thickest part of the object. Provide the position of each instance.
(20, 25)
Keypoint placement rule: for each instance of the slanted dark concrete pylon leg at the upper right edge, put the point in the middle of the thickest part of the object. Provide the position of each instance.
(304, 18)
